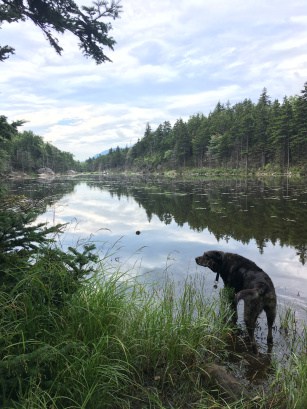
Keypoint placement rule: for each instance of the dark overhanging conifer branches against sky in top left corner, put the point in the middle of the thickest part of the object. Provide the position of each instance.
(59, 16)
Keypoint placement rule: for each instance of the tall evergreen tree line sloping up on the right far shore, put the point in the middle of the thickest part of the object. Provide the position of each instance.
(246, 135)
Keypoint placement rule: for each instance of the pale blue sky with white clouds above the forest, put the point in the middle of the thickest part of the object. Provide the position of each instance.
(172, 59)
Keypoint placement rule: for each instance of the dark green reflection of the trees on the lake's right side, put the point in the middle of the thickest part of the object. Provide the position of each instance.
(242, 209)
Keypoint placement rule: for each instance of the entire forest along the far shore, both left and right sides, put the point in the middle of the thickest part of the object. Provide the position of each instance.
(245, 136)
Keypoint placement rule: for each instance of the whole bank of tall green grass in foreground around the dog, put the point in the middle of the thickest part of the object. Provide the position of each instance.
(122, 344)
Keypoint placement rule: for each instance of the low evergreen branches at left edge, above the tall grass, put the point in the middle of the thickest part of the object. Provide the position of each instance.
(25, 245)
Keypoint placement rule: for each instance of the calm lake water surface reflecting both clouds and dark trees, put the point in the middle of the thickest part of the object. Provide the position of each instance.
(262, 220)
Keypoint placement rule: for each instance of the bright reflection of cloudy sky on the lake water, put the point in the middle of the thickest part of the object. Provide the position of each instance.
(111, 222)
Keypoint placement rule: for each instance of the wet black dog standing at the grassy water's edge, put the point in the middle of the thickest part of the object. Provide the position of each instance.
(250, 284)
